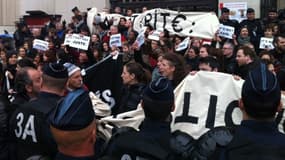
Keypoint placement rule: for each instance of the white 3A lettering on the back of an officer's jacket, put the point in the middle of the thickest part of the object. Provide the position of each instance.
(29, 127)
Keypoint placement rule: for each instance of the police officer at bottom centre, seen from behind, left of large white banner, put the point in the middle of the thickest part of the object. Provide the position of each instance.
(153, 139)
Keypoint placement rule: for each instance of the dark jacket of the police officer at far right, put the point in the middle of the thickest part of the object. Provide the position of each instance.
(253, 140)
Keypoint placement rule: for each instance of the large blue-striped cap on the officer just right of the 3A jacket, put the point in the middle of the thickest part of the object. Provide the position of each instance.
(74, 112)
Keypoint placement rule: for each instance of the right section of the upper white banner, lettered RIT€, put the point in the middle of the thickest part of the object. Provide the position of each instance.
(195, 24)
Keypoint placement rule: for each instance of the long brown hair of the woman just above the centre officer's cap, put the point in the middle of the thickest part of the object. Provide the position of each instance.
(178, 62)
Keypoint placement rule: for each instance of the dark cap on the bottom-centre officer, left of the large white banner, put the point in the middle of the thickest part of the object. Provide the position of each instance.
(160, 90)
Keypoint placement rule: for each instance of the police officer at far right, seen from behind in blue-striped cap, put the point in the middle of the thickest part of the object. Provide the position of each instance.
(257, 137)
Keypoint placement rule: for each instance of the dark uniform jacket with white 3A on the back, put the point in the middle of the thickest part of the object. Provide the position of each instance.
(29, 127)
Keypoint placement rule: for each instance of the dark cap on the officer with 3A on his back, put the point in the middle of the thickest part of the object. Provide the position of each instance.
(55, 70)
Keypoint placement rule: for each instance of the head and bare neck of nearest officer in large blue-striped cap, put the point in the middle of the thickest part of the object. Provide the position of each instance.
(73, 127)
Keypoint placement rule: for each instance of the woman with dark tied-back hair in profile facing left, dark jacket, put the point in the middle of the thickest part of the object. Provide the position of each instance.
(135, 78)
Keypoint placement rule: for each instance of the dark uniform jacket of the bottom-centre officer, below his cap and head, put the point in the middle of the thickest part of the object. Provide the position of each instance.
(151, 142)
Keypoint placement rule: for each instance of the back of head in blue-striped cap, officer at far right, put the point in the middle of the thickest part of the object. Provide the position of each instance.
(261, 92)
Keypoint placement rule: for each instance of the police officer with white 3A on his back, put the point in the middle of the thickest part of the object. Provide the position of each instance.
(29, 126)
